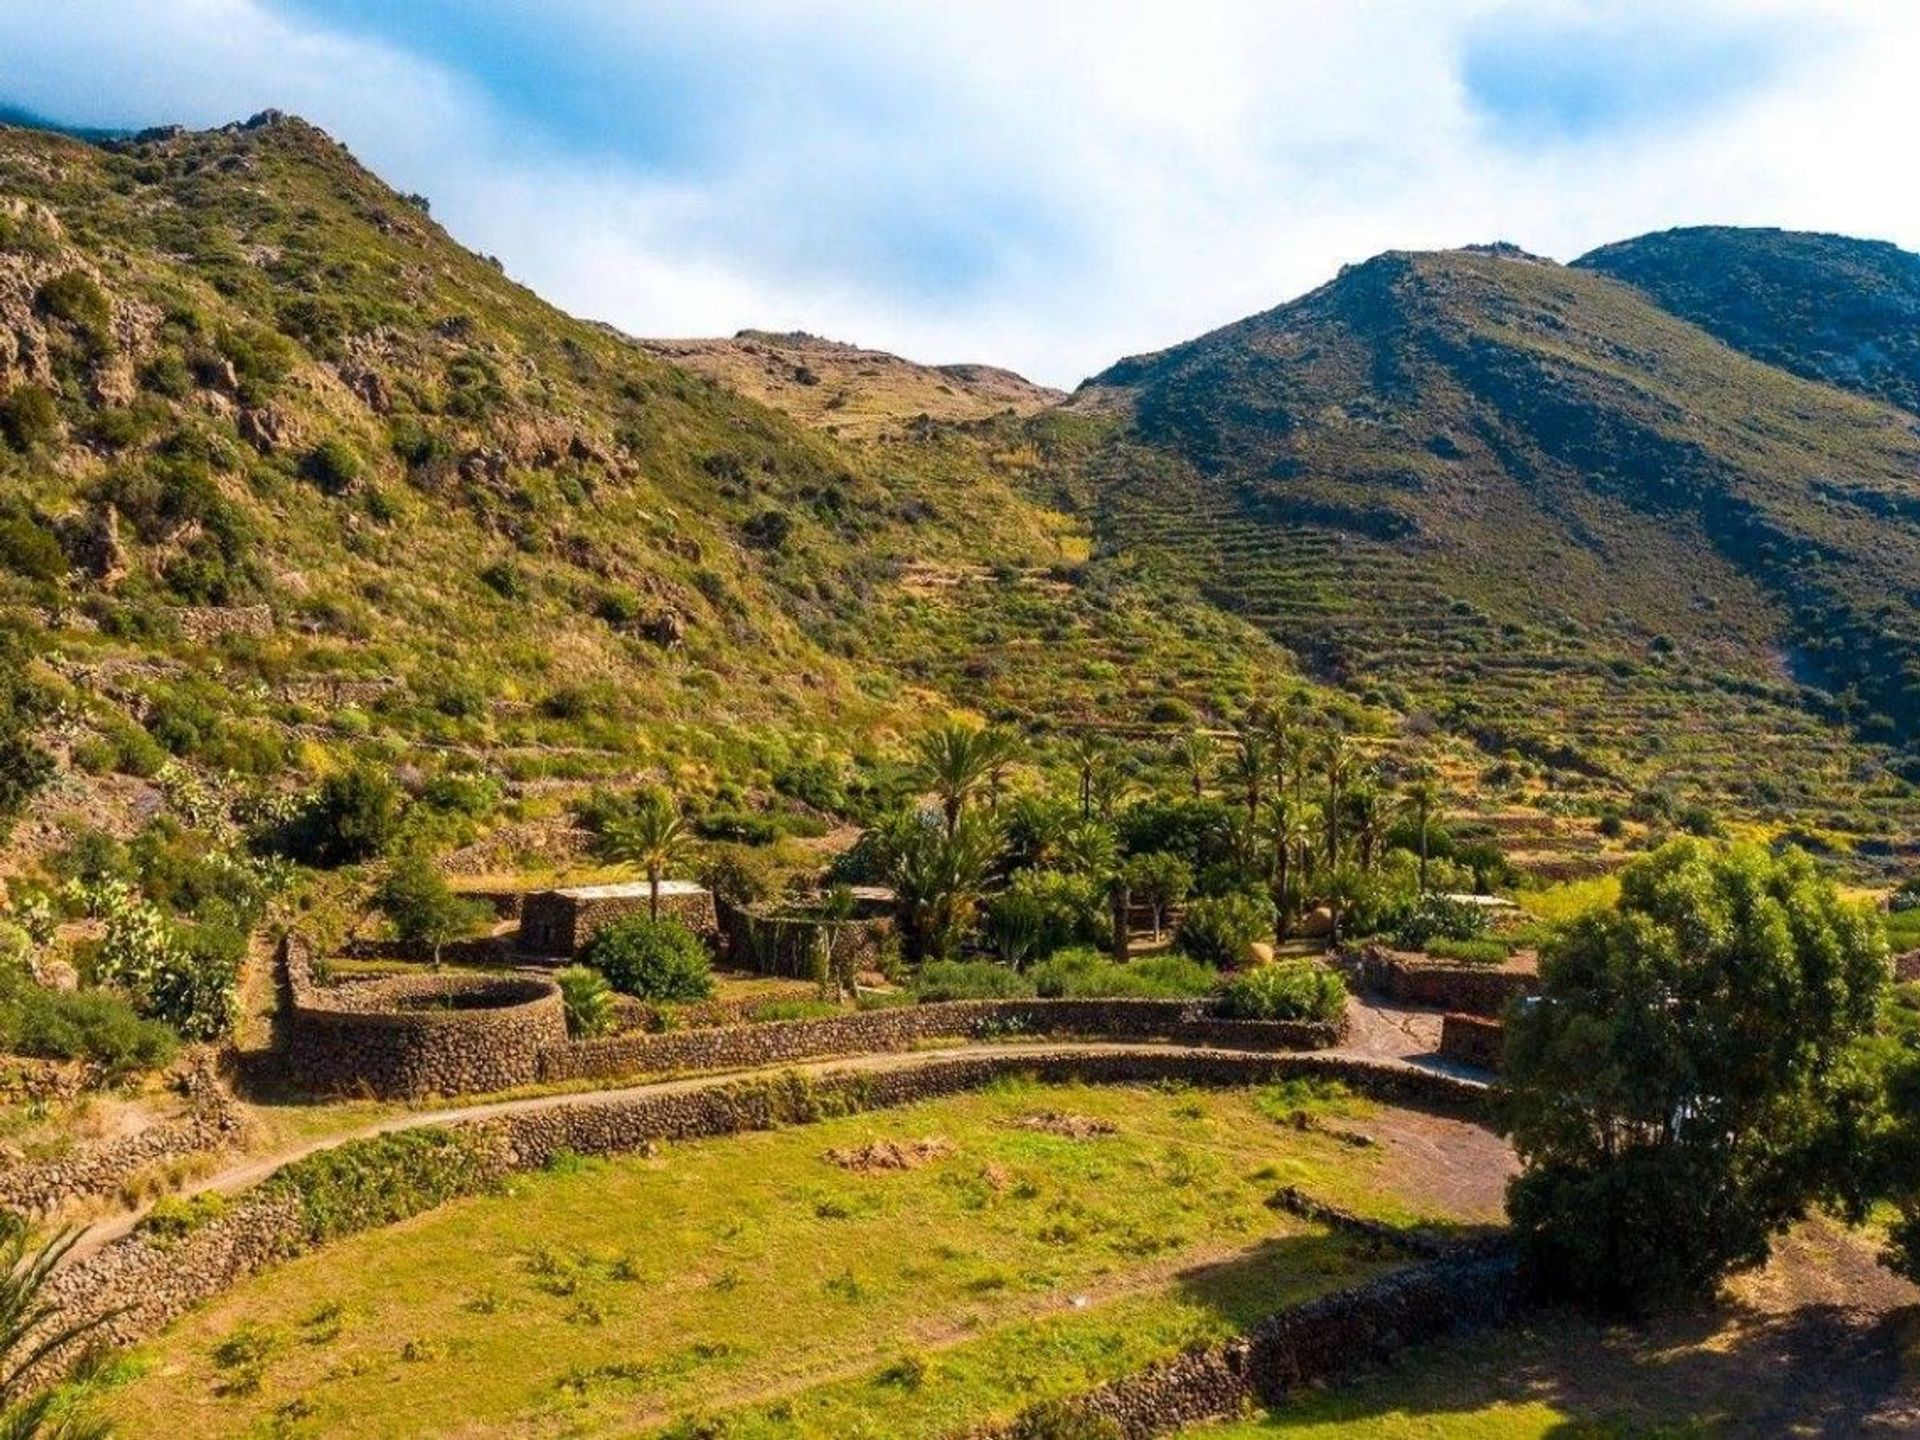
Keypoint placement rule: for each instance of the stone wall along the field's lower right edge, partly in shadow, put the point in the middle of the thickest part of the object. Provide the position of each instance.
(1307, 1345)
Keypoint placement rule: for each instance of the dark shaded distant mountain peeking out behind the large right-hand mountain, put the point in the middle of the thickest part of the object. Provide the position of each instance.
(1823, 306)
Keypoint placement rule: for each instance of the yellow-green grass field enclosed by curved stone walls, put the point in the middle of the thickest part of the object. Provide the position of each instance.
(757, 1280)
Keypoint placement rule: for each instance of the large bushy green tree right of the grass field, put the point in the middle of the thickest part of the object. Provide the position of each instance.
(1681, 1088)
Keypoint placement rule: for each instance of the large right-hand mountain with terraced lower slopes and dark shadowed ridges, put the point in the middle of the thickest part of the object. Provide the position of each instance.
(1537, 508)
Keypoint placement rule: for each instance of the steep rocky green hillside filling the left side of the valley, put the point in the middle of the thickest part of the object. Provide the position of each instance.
(289, 473)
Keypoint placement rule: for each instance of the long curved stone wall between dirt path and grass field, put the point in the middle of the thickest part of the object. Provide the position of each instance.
(141, 1284)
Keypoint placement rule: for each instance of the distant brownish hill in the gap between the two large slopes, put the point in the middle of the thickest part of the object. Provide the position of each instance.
(848, 391)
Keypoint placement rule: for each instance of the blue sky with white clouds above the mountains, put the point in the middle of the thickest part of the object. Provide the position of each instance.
(1045, 185)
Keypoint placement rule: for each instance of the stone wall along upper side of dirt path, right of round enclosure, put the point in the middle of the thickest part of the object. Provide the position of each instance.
(901, 1028)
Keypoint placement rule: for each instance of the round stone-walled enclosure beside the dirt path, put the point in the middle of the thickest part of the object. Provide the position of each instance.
(421, 1036)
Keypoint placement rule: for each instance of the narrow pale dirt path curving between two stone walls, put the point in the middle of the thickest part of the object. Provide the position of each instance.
(1376, 1036)
